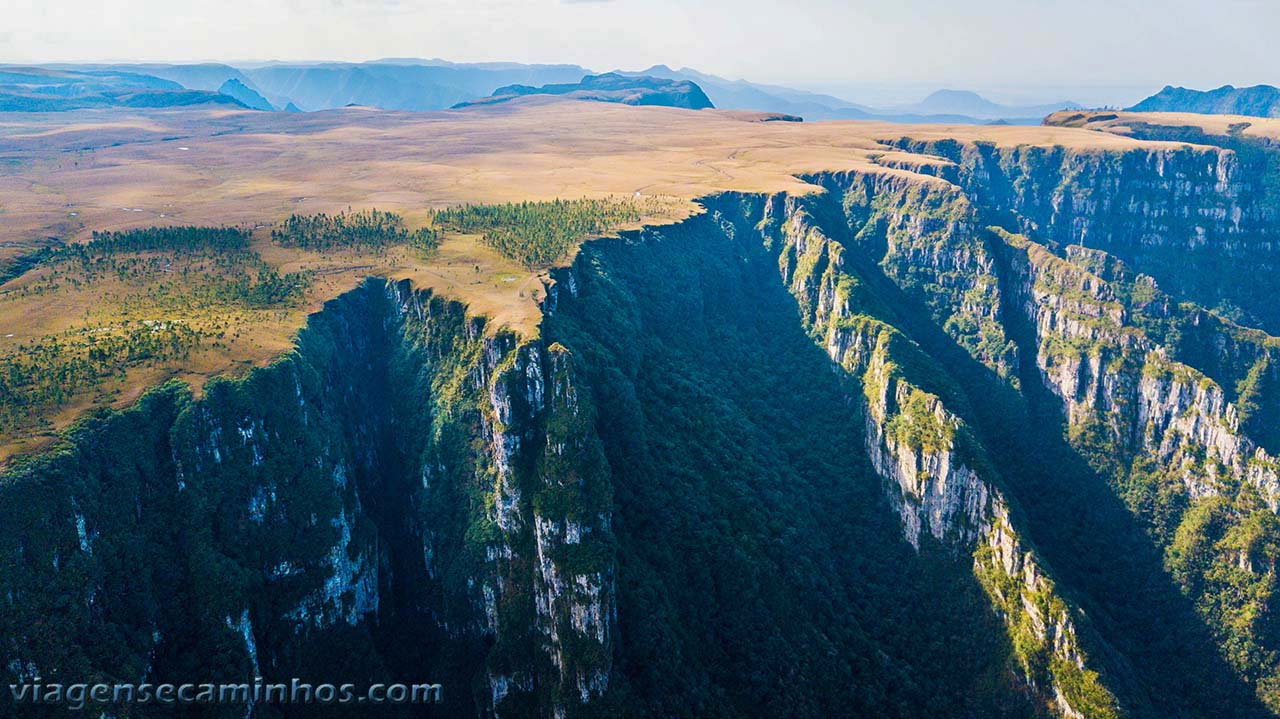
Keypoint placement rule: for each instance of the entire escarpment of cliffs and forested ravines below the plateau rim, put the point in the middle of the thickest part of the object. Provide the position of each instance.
(961, 445)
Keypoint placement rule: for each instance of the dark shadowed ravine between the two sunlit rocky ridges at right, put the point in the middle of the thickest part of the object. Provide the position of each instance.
(1160, 657)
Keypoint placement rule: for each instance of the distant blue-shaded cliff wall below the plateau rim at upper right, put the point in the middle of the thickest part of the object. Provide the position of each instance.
(1165, 210)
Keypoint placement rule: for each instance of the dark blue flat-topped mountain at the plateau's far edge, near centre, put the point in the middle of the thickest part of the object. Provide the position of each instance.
(612, 88)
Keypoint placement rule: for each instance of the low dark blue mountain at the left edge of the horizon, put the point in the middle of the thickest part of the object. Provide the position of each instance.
(51, 90)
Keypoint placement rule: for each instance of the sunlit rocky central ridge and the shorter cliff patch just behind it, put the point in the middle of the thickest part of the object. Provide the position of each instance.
(913, 439)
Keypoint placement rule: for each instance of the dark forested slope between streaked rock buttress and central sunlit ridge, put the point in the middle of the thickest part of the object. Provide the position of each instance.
(740, 500)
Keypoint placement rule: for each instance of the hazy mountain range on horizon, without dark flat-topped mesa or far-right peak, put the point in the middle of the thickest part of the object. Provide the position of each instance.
(436, 85)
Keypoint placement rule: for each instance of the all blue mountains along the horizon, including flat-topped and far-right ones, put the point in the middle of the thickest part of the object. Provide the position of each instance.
(437, 85)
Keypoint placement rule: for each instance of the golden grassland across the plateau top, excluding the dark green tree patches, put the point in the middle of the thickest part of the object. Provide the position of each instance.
(65, 176)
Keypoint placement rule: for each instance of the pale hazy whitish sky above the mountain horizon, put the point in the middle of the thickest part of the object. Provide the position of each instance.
(1028, 48)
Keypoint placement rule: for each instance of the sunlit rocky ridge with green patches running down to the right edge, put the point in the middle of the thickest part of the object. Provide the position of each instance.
(1165, 433)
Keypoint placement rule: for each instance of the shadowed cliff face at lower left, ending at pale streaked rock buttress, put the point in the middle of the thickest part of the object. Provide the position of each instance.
(404, 487)
